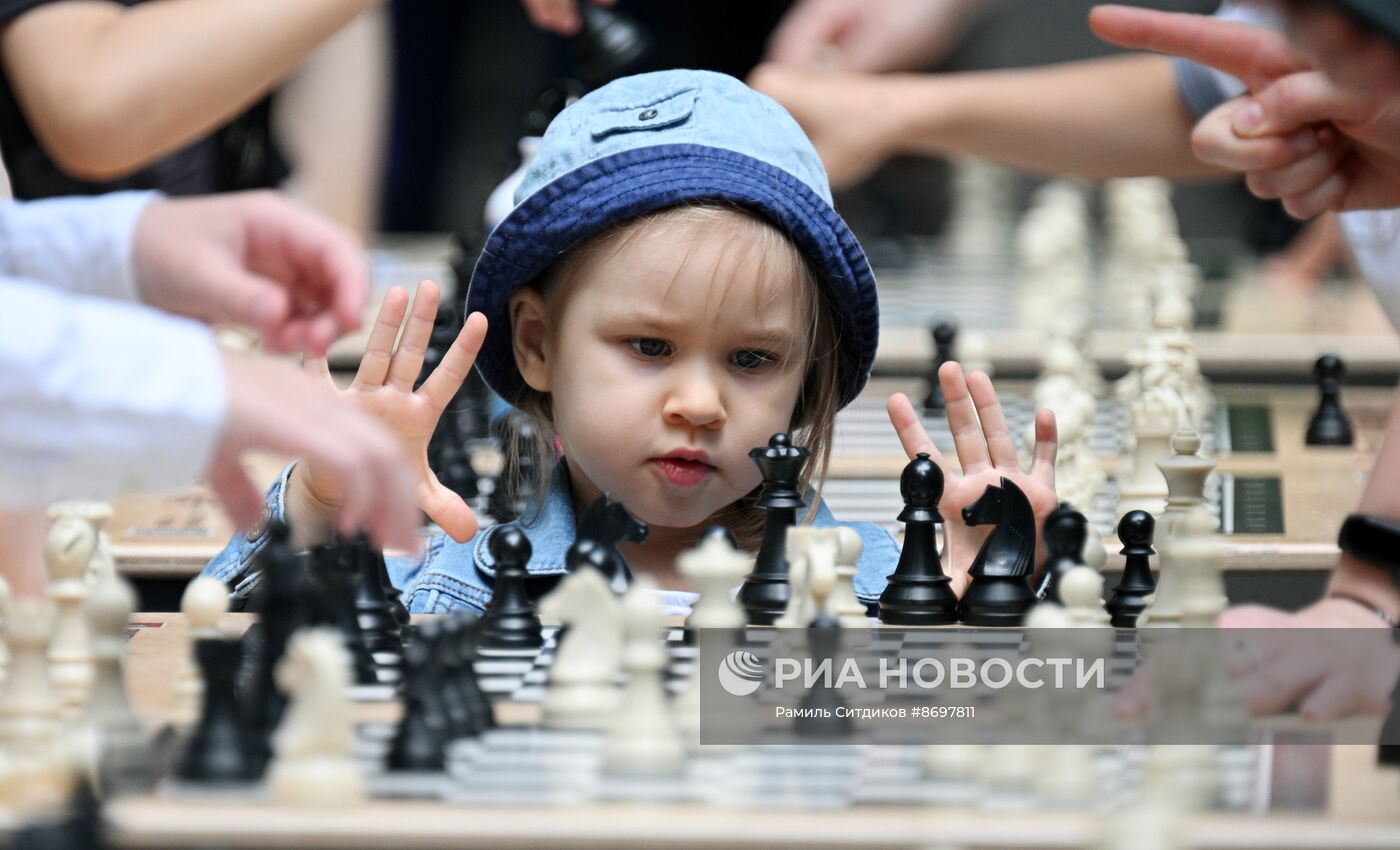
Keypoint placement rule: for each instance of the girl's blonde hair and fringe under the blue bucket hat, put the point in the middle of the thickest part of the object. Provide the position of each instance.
(814, 418)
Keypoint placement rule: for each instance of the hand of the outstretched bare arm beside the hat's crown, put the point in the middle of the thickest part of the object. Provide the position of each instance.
(845, 116)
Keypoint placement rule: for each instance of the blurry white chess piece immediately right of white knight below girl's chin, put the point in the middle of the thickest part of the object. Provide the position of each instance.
(643, 739)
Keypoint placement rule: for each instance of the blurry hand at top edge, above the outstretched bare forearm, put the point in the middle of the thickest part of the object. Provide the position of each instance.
(870, 36)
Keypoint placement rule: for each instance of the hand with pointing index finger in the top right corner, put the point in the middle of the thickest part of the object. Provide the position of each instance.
(1317, 139)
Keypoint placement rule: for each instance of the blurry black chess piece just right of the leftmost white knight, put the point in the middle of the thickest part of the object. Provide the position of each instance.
(419, 741)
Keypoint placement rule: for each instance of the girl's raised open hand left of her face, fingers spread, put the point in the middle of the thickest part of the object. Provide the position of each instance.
(384, 387)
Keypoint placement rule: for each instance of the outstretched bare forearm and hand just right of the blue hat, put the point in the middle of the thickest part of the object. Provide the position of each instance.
(1104, 118)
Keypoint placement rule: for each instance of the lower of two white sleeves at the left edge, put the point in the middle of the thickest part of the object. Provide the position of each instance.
(100, 397)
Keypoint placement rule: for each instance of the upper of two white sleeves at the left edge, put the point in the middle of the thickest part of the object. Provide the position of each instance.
(82, 246)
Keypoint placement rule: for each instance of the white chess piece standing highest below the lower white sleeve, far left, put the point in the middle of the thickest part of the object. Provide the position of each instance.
(68, 551)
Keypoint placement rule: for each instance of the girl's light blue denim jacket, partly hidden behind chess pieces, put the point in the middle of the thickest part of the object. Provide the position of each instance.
(447, 575)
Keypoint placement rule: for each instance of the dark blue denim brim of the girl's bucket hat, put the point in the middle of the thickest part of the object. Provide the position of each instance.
(633, 183)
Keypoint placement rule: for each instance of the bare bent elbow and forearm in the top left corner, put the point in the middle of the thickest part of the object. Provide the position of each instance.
(110, 89)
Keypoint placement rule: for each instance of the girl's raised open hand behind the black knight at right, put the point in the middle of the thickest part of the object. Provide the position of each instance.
(986, 453)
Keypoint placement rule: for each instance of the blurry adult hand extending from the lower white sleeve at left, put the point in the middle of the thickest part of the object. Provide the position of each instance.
(274, 407)
